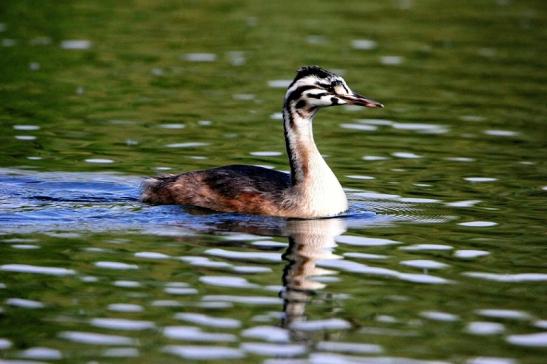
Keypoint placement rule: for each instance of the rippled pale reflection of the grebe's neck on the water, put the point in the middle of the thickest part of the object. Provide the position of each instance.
(309, 241)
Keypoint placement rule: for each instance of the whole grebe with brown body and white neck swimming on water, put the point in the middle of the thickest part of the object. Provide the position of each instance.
(310, 191)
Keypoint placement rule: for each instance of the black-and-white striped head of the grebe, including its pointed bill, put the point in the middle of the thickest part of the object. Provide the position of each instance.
(314, 87)
